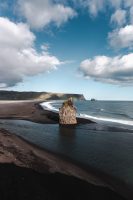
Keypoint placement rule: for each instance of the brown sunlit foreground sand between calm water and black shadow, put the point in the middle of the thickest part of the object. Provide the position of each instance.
(49, 162)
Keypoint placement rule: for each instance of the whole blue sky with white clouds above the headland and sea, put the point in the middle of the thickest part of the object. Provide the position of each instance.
(69, 46)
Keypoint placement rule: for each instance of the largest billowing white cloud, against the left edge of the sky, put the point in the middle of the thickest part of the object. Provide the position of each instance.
(18, 57)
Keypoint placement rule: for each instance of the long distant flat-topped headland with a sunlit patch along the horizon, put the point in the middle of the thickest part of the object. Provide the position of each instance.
(15, 95)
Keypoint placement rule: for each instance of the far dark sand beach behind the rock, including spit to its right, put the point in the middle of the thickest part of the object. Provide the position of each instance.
(31, 111)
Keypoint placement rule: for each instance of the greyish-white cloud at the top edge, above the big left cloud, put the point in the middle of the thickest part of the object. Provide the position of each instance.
(40, 13)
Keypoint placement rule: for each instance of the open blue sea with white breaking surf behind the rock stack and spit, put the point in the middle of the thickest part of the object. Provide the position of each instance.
(112, 113)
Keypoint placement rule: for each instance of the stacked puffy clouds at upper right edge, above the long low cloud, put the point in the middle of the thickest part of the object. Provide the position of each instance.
(122, 37)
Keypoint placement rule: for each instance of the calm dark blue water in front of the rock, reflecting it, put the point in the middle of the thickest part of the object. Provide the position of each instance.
(104, 149)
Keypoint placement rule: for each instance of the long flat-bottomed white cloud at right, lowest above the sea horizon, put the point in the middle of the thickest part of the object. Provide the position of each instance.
(116, 70)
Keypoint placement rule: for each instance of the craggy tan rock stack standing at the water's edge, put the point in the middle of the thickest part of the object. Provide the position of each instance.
(67, 113)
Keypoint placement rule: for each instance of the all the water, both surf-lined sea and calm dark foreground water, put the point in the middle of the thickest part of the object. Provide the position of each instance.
(104, 148)
